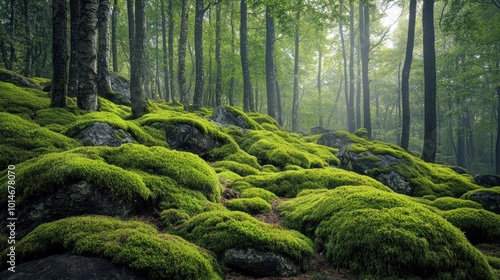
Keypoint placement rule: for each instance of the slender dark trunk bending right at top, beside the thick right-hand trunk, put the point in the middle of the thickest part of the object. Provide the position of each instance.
(405, 79)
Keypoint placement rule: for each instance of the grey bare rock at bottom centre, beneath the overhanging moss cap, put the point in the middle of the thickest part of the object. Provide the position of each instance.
(260, 263)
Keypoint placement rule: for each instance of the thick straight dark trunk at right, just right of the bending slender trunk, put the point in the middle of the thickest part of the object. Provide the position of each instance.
(430, 123)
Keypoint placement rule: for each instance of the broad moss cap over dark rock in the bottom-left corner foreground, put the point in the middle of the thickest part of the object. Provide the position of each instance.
(134, 244)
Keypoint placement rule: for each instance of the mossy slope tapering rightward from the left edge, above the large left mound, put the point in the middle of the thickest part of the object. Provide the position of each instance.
(22, 140)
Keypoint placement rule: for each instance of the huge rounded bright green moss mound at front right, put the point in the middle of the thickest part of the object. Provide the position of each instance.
(383, 235)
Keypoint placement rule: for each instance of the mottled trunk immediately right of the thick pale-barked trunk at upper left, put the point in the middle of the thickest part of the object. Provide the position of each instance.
(103, 79)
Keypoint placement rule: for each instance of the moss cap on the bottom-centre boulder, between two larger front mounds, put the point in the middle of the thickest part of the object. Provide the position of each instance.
(219, 231)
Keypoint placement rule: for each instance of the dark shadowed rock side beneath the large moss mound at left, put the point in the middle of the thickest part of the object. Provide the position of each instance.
(70, 200)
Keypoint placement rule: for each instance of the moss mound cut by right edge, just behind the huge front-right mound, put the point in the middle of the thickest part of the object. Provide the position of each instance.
(480, 226)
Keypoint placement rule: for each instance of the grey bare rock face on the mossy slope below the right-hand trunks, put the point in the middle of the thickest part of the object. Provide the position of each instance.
(371, 164)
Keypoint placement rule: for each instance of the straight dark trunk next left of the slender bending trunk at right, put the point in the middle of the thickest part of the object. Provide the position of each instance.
(365, 59)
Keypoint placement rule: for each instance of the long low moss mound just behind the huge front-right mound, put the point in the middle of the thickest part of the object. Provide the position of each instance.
(290, 183)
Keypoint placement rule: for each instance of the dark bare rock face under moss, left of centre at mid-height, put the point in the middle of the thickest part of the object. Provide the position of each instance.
(184, 137)
